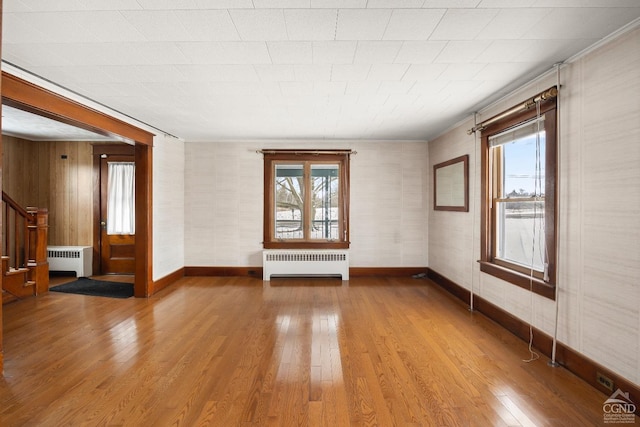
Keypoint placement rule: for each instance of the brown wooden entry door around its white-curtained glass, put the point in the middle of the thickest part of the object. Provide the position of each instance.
(117, 251)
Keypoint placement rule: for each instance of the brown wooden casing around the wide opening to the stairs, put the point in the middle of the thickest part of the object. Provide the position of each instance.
(29, 97)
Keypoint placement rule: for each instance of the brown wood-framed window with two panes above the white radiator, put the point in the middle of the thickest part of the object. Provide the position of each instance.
(306, 203)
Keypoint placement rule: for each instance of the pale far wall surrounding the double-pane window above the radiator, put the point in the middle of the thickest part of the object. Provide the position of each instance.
(224, 202)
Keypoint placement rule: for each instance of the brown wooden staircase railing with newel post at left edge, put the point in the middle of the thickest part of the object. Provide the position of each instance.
(25, 270)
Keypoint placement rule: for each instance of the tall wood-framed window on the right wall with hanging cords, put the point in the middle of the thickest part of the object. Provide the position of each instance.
(519, 203)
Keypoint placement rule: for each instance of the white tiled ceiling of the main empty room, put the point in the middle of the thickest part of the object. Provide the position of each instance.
(207, 70)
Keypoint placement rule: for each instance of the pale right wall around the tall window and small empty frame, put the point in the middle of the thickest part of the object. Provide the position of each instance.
(599, 199)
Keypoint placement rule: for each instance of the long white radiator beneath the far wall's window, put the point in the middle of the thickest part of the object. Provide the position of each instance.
(305, 263)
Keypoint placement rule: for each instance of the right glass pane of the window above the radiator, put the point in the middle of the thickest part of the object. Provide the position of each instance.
(325, 186)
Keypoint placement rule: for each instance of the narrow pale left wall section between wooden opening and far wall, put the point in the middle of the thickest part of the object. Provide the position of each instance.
(168, 205)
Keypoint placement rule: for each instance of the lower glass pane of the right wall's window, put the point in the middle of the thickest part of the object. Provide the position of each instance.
(520, 233)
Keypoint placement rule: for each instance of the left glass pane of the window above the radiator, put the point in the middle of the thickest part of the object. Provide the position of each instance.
(289, 197)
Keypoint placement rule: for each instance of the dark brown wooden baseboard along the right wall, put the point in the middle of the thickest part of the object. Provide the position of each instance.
(575, 362)
